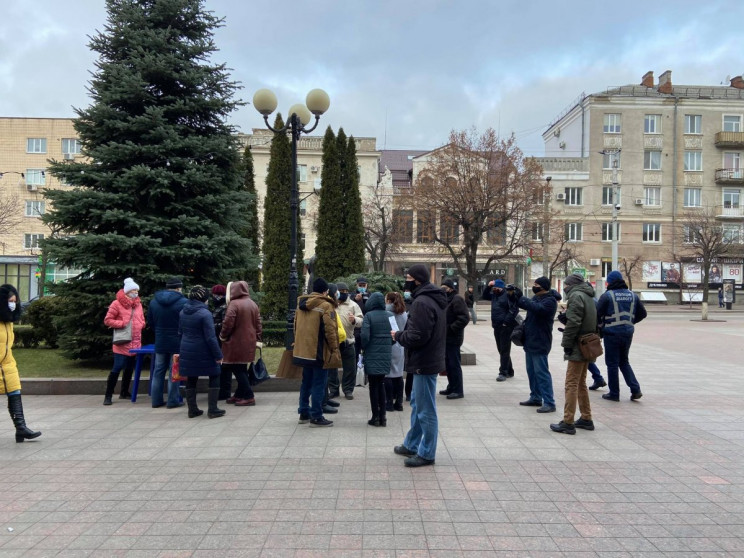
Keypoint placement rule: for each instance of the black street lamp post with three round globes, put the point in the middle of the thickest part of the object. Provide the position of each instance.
(317, 102)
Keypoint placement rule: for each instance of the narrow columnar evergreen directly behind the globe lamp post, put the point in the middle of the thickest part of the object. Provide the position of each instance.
(277, 231)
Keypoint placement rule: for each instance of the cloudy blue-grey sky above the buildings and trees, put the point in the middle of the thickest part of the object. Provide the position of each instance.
(403, 71)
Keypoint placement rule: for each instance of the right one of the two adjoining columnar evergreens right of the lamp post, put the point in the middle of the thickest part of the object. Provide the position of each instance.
(355, 260)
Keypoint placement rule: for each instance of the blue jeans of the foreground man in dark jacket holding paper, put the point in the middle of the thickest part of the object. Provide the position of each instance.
(422, 437)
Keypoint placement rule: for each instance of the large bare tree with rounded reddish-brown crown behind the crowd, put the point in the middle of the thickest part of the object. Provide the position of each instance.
(481, 188)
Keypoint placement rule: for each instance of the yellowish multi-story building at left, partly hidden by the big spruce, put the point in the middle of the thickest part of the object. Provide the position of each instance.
(26, 144)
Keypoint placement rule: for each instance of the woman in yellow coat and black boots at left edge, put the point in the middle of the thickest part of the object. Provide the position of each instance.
(10, 311)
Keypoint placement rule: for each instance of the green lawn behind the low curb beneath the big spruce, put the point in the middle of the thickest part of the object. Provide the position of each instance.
(50, 363)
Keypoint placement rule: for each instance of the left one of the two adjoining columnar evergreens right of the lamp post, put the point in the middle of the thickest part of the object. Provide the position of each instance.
(330, 240)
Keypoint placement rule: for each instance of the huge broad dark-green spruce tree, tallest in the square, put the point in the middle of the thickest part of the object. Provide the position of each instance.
(159, 193)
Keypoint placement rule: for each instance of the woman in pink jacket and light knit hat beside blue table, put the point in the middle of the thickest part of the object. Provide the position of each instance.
(127, 306)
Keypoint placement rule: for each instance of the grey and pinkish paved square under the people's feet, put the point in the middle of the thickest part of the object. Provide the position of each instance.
(660, 477)
